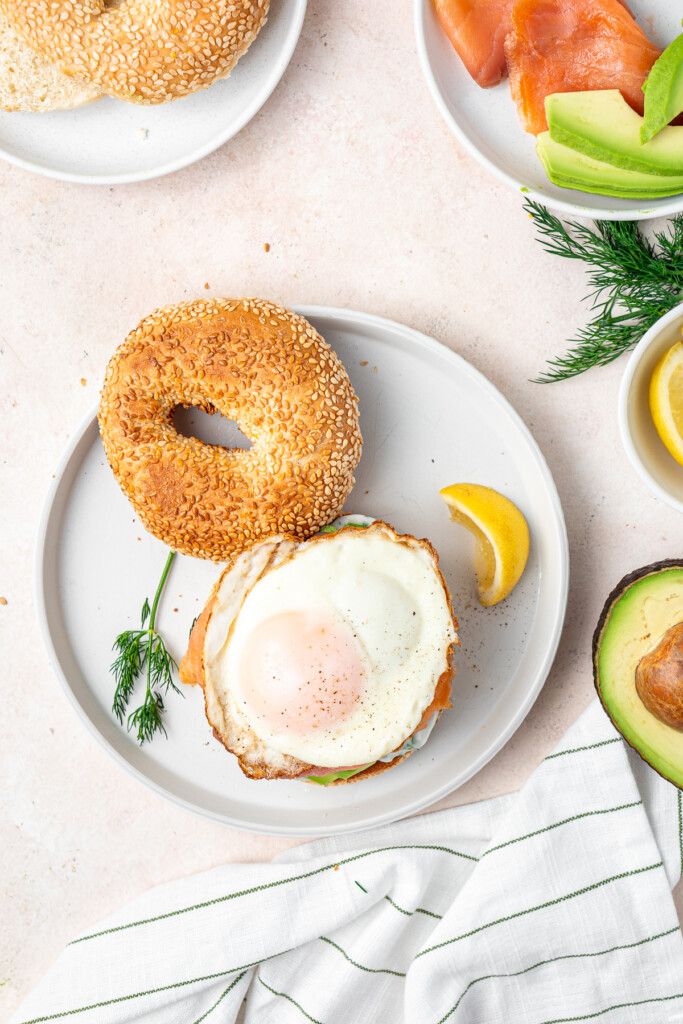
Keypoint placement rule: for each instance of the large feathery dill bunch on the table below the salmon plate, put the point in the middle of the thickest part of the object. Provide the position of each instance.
(633, 282)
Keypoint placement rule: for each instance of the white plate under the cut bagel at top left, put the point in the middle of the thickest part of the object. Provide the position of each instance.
(112, 143)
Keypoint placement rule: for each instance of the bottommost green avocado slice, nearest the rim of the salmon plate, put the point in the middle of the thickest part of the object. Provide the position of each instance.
(571, 169)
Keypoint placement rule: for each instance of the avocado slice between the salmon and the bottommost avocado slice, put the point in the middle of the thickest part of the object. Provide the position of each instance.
(602, 125)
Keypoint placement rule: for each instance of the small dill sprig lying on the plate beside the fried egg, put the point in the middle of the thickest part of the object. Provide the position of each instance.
(139, 650)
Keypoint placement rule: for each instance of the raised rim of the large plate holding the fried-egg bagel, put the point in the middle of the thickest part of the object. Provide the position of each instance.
(344, 318)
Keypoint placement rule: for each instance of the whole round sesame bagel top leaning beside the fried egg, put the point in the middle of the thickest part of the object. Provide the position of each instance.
(264, 367)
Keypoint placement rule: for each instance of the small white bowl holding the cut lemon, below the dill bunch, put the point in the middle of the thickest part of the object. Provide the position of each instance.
(644, 446)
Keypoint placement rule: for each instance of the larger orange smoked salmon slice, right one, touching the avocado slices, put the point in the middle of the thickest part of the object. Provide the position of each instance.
(571, 47)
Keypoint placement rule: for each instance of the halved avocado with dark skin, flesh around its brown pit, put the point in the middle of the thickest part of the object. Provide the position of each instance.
(642, 610)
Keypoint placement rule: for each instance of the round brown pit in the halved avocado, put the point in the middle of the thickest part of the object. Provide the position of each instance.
(660, 678)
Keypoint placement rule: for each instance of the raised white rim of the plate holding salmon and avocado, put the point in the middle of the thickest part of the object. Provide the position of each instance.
(574, 208)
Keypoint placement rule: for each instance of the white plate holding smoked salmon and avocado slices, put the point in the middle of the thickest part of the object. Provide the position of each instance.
(486, 120)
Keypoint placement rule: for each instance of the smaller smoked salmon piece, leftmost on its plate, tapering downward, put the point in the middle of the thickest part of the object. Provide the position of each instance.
(478, 30)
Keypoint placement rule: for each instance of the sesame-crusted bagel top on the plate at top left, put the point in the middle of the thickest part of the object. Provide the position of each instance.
(142, 52)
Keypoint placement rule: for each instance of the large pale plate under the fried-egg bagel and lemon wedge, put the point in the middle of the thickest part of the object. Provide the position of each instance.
(429, 419)
